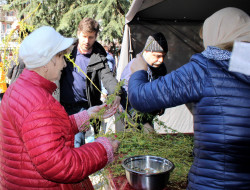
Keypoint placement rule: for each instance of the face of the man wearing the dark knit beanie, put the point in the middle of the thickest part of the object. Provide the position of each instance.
(155, 59)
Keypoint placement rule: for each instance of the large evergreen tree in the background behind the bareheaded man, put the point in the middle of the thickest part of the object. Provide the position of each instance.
(64, 15)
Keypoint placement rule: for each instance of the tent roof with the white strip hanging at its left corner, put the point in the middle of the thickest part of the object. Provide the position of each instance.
(191, 10)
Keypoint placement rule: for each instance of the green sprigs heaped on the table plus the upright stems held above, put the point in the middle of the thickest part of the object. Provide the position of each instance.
(134, 141)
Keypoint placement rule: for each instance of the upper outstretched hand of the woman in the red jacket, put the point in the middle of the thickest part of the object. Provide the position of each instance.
(92, 111)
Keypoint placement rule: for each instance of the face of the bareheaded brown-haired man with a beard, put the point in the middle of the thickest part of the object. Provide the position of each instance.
(86, 40)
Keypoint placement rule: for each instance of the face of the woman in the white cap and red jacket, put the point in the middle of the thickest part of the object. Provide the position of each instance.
(55, 67)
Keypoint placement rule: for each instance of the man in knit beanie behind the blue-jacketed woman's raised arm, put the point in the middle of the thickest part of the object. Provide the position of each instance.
(154, 52)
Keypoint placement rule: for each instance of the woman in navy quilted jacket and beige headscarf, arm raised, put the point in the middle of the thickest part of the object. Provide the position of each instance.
(221, 103)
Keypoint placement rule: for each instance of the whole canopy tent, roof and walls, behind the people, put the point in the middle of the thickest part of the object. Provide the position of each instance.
(179, 21)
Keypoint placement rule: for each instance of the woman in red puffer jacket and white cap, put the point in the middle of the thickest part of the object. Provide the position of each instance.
(36, 134)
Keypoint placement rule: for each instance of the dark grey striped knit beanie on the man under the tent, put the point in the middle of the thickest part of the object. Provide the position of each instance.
(156, 43)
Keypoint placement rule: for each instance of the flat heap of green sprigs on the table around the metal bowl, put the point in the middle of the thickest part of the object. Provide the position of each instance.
(176, 148)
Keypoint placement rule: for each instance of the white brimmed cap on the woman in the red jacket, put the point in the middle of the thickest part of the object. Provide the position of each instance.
(38, 48)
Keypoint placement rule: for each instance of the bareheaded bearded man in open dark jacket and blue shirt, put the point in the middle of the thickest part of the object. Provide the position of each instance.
(77, 93)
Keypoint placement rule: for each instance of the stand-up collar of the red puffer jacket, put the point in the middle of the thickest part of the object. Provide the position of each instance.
(38, 80)
